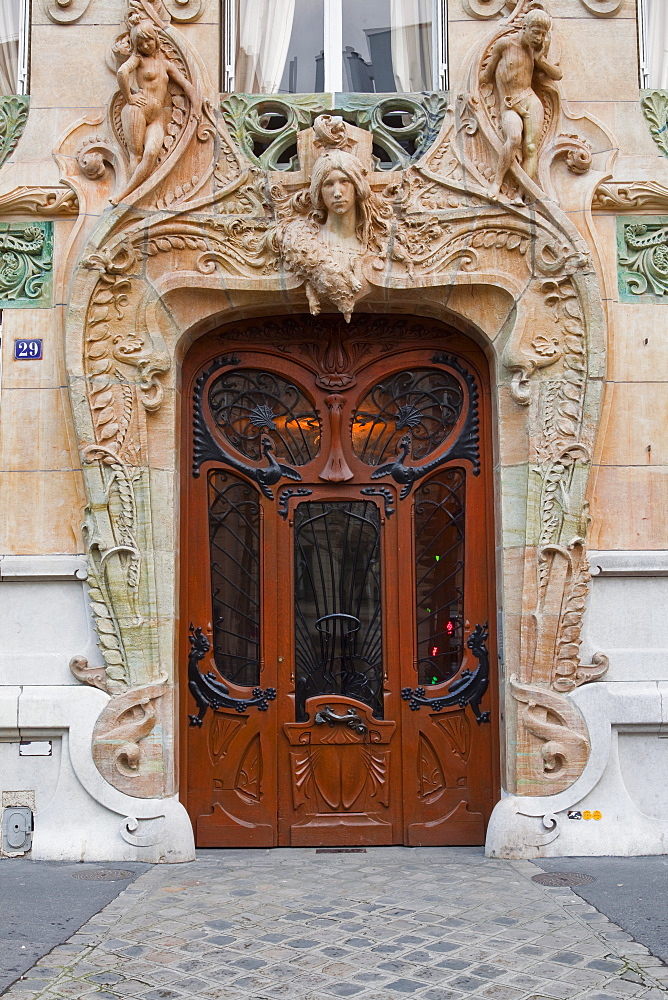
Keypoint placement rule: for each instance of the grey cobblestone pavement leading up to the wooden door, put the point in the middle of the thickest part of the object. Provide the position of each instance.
(391, 923)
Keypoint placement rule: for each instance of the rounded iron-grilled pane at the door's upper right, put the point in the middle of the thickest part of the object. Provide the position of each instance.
(424, 402)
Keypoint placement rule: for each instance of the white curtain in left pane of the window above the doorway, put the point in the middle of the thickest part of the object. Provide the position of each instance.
(263, 39)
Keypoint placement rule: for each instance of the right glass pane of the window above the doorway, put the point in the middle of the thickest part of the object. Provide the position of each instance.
(387, 46)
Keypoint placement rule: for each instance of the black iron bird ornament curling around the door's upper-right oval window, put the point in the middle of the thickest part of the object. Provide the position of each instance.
(466, 446)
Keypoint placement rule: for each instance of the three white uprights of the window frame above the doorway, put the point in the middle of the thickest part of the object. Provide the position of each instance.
(333, 45)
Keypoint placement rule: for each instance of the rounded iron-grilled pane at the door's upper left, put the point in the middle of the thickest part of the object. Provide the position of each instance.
(246, 404)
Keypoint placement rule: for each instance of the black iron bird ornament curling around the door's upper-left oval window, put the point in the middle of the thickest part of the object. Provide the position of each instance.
(206, 448)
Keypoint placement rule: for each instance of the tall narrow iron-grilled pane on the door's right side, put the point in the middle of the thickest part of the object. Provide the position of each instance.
(439, 565)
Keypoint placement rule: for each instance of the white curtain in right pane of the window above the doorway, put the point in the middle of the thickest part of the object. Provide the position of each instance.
(412, 44)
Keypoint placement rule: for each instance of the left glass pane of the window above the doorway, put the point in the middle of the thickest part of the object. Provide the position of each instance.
(279, 46)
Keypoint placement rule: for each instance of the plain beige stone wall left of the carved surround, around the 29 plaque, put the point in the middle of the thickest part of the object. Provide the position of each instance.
(42, 495)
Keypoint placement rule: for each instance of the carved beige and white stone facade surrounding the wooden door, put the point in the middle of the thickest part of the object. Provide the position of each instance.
(530, 217)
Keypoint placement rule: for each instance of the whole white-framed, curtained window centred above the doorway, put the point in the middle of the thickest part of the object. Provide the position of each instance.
(316, 46)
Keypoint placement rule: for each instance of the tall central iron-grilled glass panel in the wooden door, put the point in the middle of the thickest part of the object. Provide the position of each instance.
(338, 612)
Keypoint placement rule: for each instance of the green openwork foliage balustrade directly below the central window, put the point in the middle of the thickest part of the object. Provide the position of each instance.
(403, 126)
